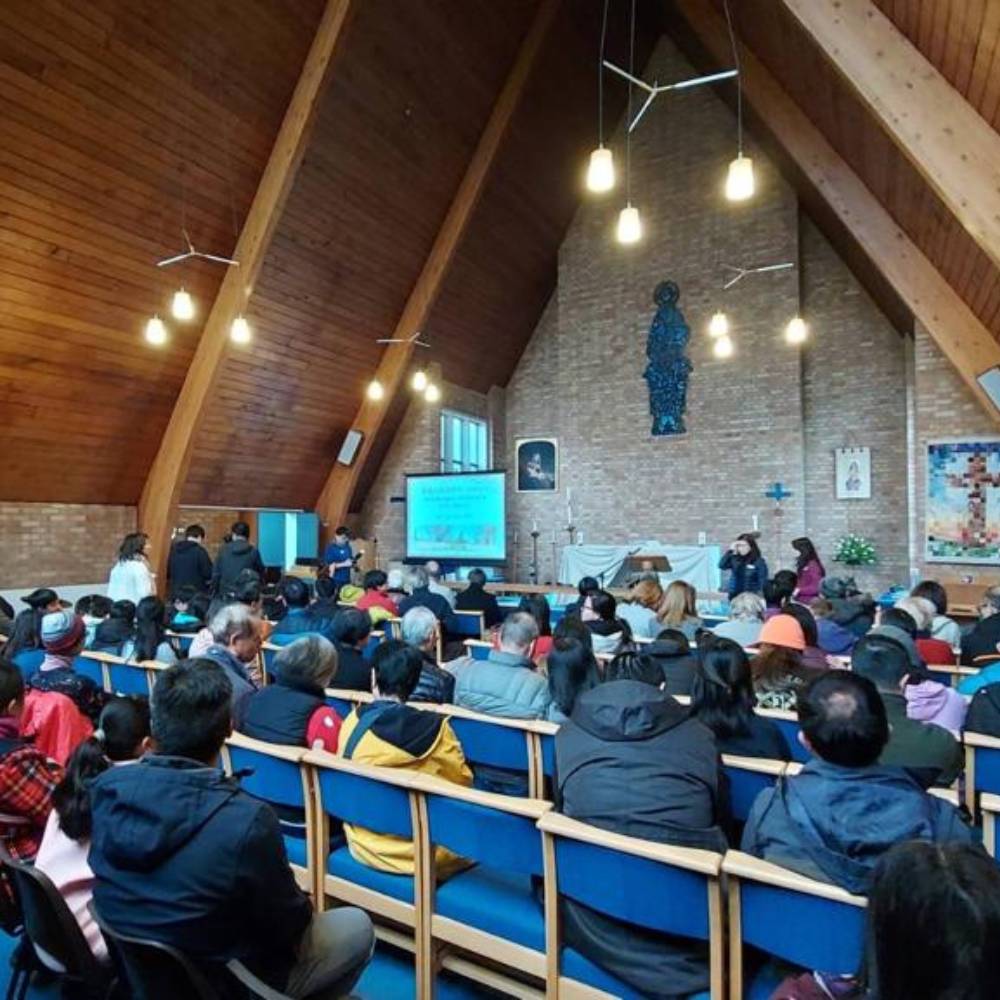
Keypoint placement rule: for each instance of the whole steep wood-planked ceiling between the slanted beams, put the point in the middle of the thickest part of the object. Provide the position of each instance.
(124, 120)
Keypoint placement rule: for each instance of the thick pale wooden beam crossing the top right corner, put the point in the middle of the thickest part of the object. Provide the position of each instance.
(953, 148)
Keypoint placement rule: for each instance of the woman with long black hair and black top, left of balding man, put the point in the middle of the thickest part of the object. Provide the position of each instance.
(722, 697)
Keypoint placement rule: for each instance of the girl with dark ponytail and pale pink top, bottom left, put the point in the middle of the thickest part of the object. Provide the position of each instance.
(121, 737)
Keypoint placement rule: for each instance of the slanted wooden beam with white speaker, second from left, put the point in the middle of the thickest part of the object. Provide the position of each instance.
(336, 494)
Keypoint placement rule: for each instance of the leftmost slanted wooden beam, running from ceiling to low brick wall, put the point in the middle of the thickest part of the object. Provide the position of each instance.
(161, 494)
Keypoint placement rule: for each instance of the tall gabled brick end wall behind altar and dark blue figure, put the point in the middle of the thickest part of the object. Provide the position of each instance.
(772, 412)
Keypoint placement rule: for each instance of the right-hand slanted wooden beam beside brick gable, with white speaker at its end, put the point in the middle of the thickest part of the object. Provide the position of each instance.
(951, 323)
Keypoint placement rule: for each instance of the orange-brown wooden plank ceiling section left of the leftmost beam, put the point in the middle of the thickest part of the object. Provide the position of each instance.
(111, 109)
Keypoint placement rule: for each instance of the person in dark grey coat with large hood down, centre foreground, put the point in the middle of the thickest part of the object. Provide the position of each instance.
(632, 761)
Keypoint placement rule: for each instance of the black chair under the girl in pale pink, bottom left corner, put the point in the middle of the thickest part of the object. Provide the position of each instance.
(49, 926)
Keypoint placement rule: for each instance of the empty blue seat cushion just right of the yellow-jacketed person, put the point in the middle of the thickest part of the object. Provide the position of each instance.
(498, 902)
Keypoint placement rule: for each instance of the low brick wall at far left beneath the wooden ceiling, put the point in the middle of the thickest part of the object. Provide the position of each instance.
(49, 544)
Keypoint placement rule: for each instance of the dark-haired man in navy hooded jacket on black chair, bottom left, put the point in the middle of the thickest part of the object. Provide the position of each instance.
(182, 855)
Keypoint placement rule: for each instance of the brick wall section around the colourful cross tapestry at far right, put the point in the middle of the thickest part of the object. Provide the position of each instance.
(944, 408)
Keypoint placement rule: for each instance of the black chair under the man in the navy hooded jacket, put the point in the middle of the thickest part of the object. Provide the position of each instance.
(157, 971)
